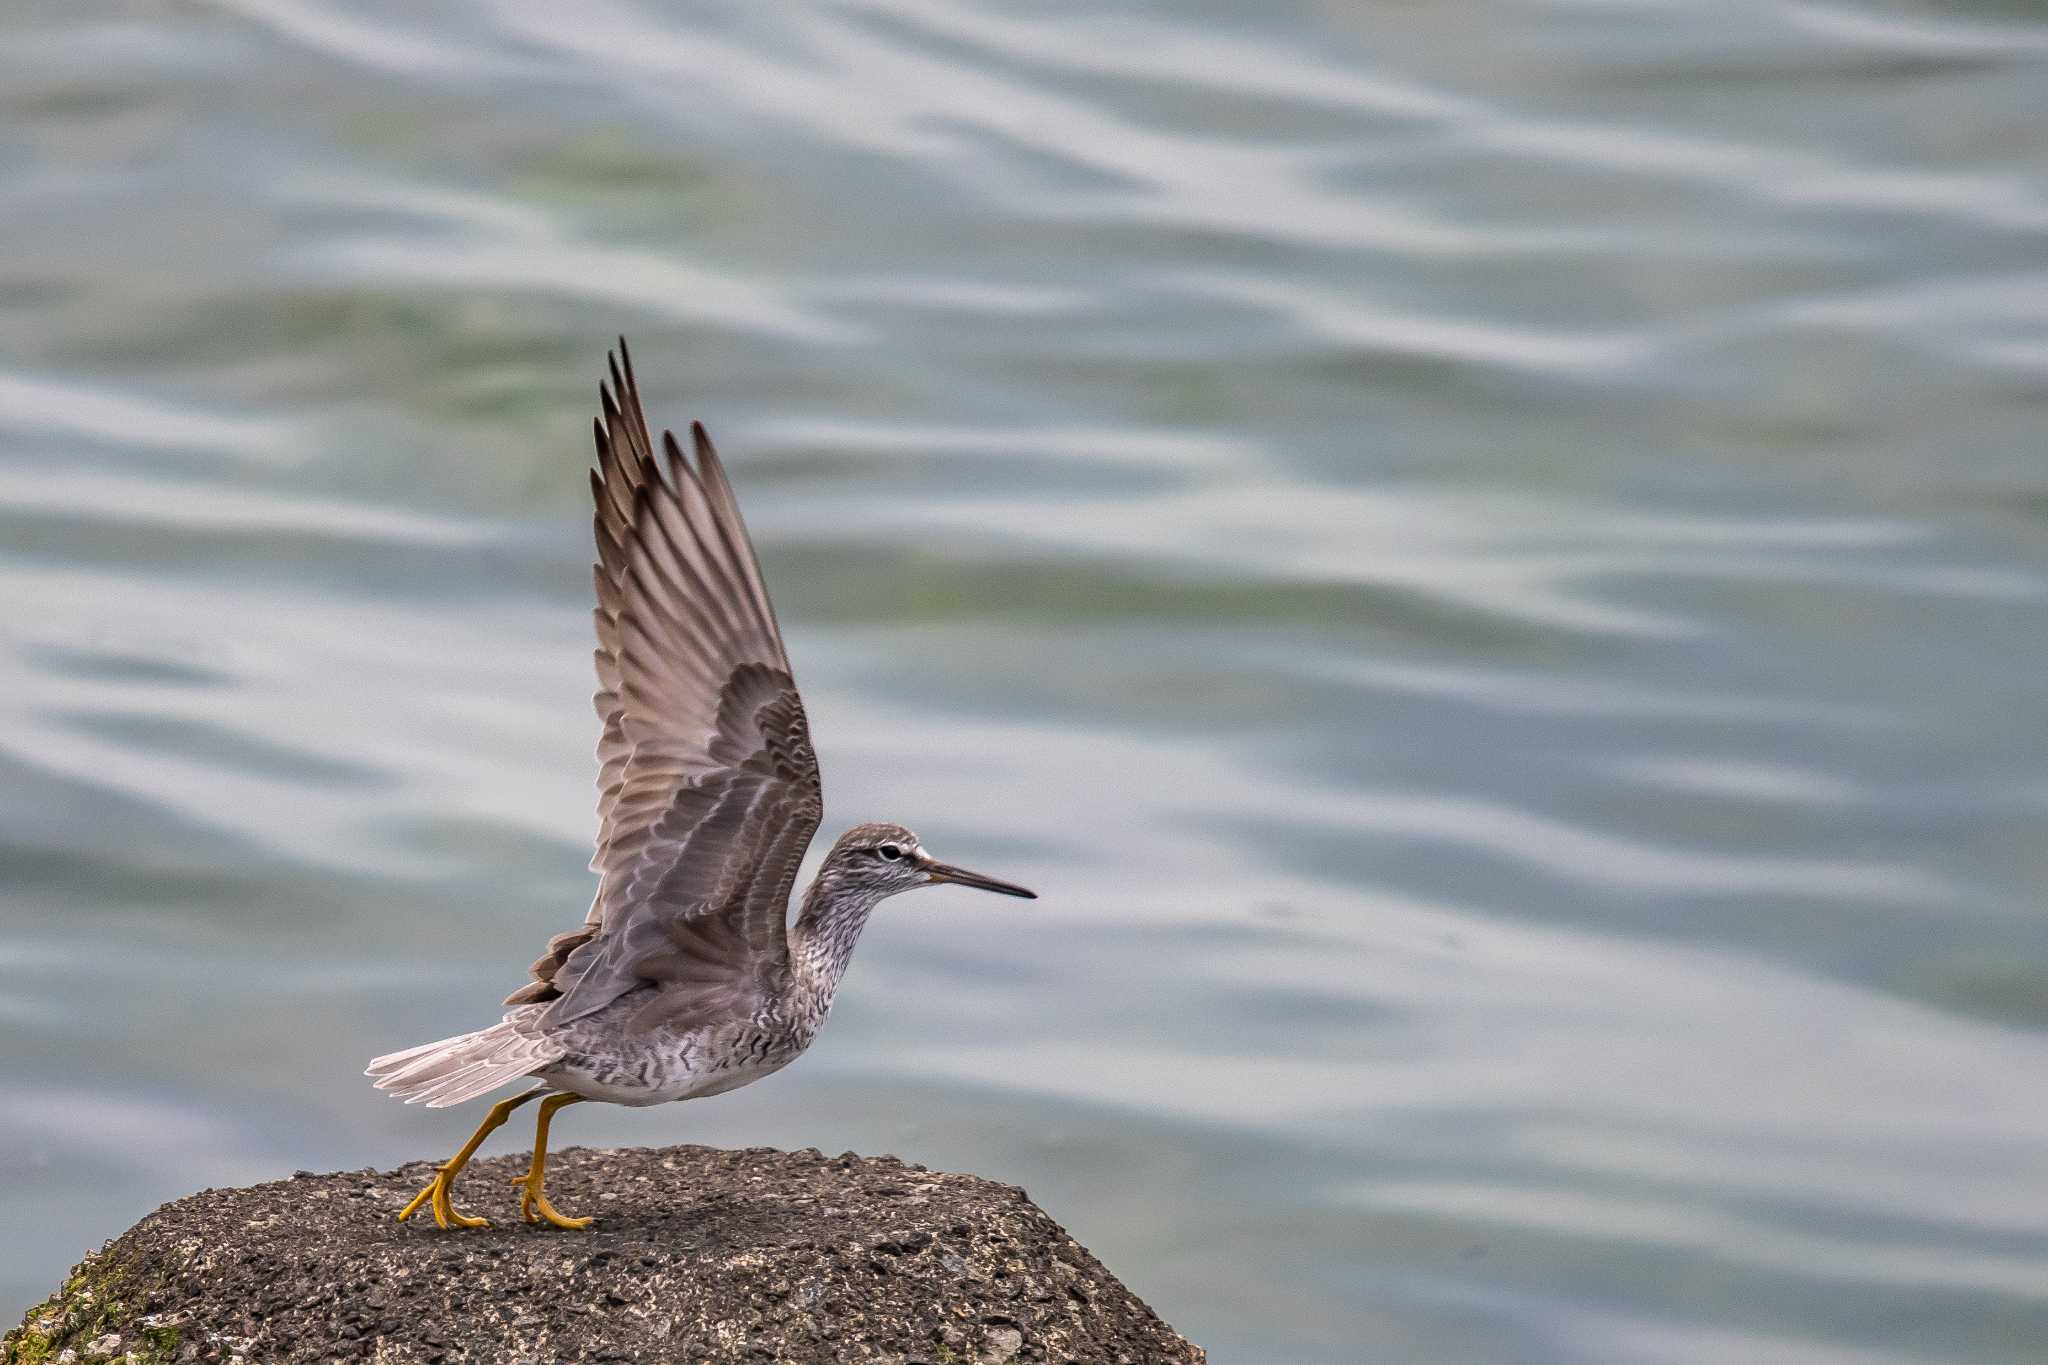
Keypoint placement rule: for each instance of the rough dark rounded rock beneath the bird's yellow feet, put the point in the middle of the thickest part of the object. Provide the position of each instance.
(697, 1258)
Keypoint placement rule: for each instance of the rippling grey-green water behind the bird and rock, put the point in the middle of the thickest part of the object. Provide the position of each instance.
(1486, 560)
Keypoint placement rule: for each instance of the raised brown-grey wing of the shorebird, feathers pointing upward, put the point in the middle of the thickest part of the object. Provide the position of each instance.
(708, 785)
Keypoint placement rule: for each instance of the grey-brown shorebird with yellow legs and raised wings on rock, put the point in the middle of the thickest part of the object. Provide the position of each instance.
(687, 977)
